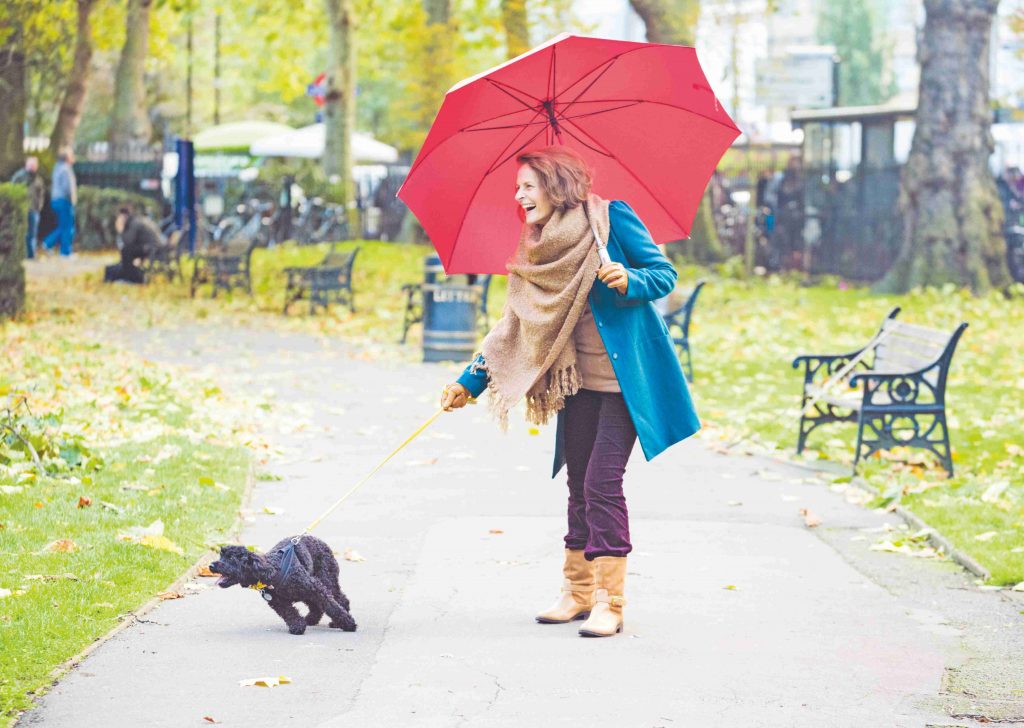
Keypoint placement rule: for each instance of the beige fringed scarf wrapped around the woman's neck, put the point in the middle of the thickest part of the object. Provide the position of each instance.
(531, 353)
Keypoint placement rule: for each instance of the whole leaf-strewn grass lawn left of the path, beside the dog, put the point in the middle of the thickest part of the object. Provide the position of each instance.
(134, 443)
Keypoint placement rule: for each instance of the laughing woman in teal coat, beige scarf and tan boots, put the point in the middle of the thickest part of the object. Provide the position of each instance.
(595, 354)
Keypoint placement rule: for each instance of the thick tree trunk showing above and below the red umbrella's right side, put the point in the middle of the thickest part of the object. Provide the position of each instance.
(676, 22)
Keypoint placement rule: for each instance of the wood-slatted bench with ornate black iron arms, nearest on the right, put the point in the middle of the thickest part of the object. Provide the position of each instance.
(902, 375)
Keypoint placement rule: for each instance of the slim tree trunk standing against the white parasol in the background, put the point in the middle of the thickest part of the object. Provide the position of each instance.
(339, 107)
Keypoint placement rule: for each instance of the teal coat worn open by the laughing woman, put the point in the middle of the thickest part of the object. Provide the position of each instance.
(637, 342)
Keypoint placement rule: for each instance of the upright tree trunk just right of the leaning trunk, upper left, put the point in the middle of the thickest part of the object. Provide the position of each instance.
(130, 122)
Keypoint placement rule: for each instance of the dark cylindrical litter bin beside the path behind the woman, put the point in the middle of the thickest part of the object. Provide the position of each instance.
(450, 315)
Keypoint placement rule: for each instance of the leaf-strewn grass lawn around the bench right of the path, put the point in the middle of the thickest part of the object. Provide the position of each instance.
(747, 334)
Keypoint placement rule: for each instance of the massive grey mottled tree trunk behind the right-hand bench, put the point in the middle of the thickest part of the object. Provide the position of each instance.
(952, 215)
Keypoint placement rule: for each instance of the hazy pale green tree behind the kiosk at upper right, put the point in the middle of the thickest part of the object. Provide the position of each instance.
(849, 25)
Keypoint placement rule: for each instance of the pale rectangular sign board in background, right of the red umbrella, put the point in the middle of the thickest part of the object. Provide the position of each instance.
(797, 79)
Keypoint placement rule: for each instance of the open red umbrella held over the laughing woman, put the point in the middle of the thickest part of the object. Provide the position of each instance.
(643, 114)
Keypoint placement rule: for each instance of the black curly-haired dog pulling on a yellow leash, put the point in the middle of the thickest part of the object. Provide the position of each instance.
(313, 579)
